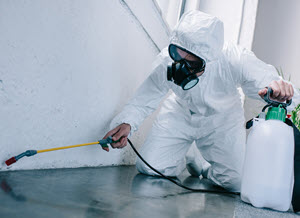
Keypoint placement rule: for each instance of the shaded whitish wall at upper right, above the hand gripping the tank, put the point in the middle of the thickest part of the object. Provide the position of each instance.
(277, 33)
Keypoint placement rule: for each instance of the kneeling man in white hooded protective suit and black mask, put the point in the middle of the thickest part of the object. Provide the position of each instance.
(205, 105)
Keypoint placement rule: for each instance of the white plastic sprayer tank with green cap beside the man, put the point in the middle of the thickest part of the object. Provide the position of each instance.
(268, 175)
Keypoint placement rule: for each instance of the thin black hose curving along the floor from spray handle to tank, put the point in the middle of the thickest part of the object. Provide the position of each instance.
(178, 183)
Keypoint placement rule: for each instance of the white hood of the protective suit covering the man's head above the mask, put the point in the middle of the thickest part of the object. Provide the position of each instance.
(199, 33)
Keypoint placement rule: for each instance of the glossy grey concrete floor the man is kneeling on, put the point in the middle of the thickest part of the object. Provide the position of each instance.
(114, 192)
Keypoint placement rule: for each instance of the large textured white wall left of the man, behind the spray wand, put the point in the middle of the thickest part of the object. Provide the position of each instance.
(66, 68)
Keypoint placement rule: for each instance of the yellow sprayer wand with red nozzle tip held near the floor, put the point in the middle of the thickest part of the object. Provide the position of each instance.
(28, 153)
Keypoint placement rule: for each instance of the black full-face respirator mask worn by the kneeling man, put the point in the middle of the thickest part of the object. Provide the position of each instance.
(183, 72)
